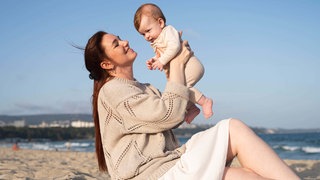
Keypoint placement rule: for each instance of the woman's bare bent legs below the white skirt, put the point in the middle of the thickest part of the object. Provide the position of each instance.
(255, 156)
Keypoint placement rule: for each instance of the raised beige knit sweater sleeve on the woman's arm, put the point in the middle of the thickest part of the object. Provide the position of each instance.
(144, 111)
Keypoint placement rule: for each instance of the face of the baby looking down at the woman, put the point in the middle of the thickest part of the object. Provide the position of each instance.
(150, 28)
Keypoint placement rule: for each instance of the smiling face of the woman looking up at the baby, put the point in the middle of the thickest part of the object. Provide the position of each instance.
(118, 51)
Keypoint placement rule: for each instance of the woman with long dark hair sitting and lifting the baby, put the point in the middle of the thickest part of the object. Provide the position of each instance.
(133, 123)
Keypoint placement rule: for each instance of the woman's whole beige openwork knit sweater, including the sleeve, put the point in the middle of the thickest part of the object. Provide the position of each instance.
(135, 123)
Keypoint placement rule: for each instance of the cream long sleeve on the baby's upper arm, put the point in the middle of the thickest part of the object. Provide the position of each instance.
(173, 44)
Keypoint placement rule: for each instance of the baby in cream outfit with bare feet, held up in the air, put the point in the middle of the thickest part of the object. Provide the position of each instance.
(150, 22)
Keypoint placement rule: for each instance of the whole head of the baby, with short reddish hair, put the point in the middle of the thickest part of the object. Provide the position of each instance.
(149, 21)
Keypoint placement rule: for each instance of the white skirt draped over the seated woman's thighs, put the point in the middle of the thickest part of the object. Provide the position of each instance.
(205, 156)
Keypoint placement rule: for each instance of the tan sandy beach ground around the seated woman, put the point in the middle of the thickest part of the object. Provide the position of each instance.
(38, 164)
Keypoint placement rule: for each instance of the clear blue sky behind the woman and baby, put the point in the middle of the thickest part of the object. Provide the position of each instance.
(261, 58)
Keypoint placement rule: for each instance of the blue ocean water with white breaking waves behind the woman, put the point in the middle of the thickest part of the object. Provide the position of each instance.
(300, 146)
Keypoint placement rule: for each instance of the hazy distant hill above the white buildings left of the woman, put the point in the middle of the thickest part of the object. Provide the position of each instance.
(37, 119)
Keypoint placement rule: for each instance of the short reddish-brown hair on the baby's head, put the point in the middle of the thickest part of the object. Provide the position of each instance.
(150, 10)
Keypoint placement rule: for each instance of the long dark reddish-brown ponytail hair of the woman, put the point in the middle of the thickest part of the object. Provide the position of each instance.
(94, 54)
